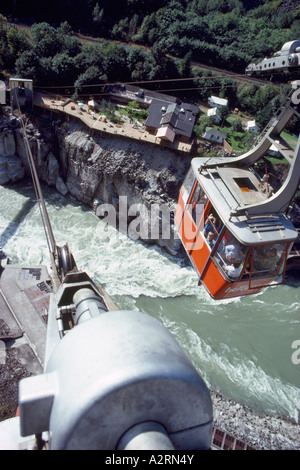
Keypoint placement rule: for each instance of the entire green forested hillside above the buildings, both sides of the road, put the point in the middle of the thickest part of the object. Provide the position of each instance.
(166, 38)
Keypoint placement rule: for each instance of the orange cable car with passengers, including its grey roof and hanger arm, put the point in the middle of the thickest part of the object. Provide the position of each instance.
(233, 226)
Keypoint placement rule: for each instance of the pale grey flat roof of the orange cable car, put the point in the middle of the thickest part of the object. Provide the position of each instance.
(231, 188)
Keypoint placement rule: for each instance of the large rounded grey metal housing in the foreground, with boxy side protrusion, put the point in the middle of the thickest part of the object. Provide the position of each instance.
(109, 375)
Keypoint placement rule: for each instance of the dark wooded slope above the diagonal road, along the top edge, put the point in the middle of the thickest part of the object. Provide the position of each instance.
(230, 33)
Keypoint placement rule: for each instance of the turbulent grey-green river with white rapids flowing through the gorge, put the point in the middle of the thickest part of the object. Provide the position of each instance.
(241, 347)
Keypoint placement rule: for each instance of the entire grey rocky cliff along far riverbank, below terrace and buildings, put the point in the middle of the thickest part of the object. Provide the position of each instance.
(96, 169)
